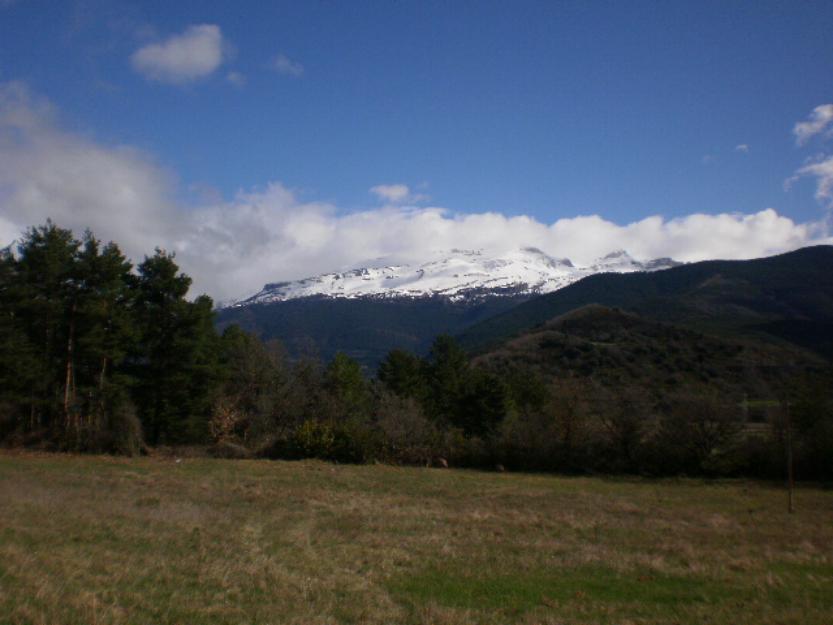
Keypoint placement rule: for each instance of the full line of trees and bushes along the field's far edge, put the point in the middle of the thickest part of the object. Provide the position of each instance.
(101, 356)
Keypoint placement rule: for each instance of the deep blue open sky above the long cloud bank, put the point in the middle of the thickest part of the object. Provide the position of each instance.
(544, 109)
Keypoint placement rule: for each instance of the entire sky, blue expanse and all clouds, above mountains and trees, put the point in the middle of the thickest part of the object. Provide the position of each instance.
(272, 141)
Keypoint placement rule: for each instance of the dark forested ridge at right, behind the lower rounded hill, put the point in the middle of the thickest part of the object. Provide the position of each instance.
(786, 299)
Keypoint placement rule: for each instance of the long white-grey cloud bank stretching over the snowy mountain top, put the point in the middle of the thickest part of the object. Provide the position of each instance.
(233, 246)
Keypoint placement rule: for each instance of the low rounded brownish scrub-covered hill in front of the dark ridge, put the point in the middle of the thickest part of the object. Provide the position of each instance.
(623, 351)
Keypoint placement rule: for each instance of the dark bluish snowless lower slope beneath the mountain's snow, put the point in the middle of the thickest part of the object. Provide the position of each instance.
(364, 328)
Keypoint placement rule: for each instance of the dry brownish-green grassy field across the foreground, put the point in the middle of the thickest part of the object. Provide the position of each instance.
(97, 540)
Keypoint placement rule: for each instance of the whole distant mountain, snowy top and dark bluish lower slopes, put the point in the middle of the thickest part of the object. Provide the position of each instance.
(369, 311)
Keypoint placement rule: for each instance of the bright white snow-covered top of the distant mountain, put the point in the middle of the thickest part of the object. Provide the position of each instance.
(458, 274)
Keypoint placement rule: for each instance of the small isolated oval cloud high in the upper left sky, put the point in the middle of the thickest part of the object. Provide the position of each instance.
(183, 58)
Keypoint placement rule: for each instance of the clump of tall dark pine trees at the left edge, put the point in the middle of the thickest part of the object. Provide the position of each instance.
(85, 340)
